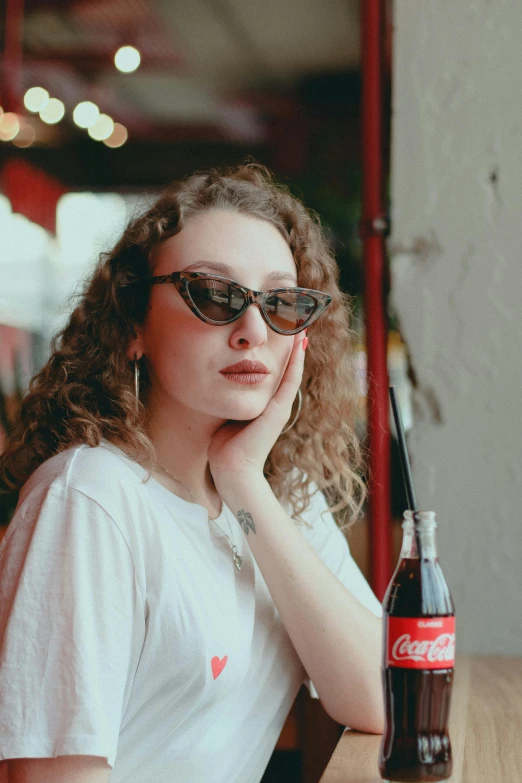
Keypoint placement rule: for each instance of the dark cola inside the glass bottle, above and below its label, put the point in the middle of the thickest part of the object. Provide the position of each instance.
(415, 746)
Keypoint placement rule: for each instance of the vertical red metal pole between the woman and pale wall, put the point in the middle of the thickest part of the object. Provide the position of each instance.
(373, 230)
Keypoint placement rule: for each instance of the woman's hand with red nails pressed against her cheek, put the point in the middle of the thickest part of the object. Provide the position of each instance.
(242, 447)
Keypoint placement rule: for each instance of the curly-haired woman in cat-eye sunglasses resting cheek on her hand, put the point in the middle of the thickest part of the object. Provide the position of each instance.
(141, 628)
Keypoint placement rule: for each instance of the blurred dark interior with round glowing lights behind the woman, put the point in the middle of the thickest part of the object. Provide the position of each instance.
(109, 101)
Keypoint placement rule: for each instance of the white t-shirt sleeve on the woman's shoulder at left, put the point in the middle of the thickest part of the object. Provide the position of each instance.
(71, 615)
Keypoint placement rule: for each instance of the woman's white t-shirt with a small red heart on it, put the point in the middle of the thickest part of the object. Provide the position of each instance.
(127, 632)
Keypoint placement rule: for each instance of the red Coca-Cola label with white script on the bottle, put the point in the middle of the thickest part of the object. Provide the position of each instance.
(421, 642)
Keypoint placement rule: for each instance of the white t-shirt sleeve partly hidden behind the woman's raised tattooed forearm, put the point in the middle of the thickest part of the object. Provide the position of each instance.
(332, 547)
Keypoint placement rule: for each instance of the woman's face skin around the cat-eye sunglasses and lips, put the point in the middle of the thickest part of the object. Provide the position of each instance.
(184, 355)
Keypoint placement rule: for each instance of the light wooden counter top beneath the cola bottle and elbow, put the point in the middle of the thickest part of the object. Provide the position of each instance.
(485, 728)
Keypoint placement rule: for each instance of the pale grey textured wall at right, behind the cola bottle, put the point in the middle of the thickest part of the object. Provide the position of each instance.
(456, 254)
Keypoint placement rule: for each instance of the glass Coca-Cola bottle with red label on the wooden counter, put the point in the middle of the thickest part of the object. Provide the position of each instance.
(418, 660)
